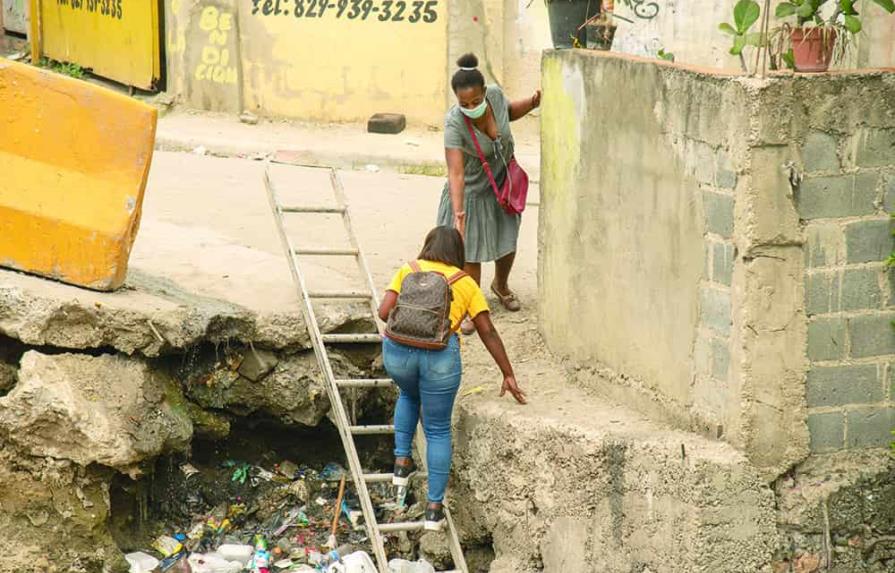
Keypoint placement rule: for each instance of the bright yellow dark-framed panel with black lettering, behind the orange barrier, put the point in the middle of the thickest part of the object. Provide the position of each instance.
(117, 39)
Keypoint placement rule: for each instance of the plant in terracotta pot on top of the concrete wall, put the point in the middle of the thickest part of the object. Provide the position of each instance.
(814, 39)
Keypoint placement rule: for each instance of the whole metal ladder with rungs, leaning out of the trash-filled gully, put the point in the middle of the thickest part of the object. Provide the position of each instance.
(375, 530)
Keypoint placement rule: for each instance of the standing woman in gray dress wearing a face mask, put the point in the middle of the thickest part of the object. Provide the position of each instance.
(468, 201)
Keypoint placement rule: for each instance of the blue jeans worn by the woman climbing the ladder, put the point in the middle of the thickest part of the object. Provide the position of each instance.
(429, 380)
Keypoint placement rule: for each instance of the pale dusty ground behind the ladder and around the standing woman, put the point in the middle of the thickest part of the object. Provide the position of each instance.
(198, 208)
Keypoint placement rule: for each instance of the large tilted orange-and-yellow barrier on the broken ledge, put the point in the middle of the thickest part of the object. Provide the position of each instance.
(74, 159)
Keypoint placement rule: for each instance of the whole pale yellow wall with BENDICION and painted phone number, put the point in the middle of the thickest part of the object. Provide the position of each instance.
(230, 56)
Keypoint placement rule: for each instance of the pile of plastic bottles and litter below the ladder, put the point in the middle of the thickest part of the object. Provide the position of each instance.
(291, 518)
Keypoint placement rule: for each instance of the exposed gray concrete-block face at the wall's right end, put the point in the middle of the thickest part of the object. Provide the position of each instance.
(848, 159)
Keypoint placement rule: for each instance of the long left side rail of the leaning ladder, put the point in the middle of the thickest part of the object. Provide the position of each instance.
(332, 390)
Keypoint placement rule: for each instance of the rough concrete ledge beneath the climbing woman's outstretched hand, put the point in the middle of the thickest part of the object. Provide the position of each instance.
(573, 484)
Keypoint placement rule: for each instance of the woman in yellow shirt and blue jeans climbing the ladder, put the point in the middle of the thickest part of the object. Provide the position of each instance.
(429, 379)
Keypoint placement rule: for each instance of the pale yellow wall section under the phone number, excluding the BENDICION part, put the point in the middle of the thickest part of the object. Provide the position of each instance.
(332, 67)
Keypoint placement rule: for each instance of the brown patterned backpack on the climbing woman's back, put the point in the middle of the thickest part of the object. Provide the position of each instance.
(422, 316)
